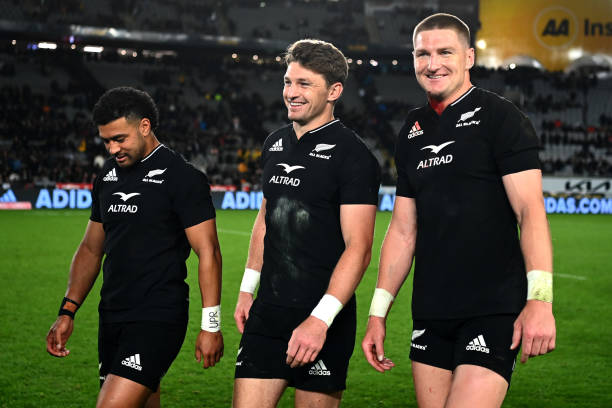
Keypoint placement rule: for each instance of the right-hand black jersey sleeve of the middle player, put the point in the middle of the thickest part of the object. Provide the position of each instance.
(359, 177)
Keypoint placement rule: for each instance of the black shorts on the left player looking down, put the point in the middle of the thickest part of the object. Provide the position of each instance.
(139, 351)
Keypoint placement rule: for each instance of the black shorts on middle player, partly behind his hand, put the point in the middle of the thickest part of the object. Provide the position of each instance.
(262, 352)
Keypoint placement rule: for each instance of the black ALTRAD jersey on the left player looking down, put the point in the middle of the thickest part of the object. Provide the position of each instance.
(144, 210)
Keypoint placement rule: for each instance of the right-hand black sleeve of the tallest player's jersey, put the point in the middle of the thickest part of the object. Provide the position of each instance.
(515, 145)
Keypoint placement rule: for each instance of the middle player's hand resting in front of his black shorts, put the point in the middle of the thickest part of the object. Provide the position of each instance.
(306, 341)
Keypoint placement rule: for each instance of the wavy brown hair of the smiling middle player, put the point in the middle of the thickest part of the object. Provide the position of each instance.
(321, 57)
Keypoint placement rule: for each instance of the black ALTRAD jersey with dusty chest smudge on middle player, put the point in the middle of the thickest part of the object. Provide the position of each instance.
(304, 182)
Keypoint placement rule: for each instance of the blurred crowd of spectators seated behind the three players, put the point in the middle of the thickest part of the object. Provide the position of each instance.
(46, 134)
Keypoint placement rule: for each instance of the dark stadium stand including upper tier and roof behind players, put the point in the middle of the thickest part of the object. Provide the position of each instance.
(217, 109)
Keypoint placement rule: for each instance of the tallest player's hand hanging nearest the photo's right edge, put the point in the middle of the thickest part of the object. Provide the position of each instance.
(536, 326)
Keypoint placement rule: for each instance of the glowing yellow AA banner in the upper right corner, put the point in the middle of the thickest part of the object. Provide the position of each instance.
(553, 32)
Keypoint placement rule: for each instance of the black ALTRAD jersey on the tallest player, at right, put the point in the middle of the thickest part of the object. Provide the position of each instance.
(468, 261)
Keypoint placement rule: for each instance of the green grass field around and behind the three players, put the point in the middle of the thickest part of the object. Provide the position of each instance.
(37, 247)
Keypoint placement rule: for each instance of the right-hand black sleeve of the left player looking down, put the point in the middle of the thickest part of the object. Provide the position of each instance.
(191, 197)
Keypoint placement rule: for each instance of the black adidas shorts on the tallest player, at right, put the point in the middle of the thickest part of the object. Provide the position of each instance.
(483, 341)
